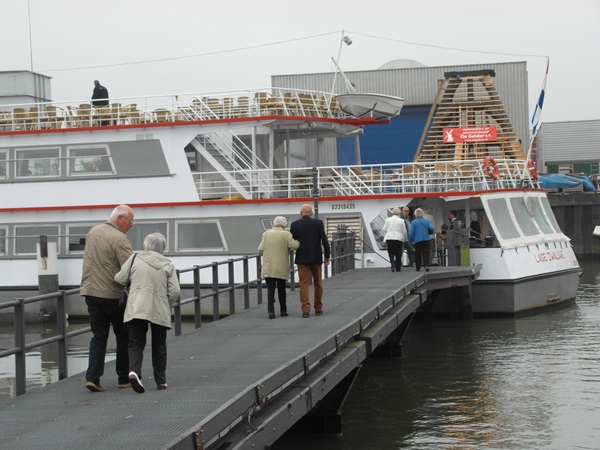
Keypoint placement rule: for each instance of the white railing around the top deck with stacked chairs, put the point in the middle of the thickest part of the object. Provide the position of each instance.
(168, 108)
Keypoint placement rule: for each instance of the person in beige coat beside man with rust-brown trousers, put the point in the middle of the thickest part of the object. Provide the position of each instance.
(274, 248)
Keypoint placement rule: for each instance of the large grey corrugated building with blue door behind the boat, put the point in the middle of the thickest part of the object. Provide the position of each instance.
(398, 141)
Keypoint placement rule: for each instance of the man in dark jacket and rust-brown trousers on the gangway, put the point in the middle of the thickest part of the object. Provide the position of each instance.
(309, 257)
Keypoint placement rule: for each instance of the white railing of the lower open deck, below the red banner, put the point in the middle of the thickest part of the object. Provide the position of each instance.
(355, 180)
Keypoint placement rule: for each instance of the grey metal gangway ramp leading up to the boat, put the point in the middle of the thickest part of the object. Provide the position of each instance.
(240, 382)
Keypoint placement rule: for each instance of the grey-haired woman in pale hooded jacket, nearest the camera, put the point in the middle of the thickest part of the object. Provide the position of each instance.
(154, 289)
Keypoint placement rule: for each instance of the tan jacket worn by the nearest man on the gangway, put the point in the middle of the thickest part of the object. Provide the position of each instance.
(106, 249)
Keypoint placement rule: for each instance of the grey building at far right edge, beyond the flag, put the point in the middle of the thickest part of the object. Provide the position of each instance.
(569, 147)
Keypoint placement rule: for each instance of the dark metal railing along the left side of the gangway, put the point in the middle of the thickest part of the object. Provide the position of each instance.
(342, 257)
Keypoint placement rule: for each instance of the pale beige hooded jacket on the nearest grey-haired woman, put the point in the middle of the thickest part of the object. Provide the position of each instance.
(154, 288)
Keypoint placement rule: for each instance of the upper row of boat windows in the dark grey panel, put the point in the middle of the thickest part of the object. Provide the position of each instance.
(47, 162)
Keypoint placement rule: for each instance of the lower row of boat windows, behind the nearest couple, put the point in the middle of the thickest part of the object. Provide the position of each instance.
(188, 236)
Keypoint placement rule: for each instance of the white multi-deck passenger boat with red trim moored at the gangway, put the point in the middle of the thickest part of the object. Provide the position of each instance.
(211, 171)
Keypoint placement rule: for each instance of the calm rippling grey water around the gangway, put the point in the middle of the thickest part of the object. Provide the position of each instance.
(527, 383)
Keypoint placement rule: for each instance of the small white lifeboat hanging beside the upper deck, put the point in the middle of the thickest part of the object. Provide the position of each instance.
(377, 106)
